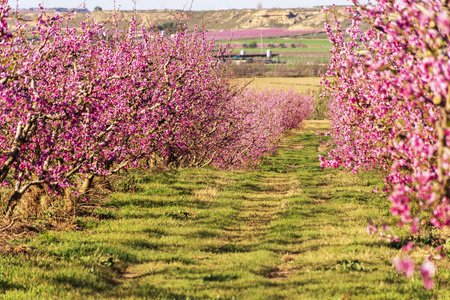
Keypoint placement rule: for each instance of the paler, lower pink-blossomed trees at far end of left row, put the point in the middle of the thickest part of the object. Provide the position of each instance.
(263, 117)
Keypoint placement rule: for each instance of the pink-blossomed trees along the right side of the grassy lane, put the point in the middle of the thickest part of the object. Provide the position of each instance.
(390, 107)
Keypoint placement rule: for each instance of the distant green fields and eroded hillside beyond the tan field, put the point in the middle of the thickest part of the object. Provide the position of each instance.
(304, 61)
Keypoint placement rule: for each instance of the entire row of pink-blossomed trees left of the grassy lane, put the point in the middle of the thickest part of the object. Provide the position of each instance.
(89, 102)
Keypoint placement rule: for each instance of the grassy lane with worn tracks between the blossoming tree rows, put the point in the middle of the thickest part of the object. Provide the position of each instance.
(286, 230)
